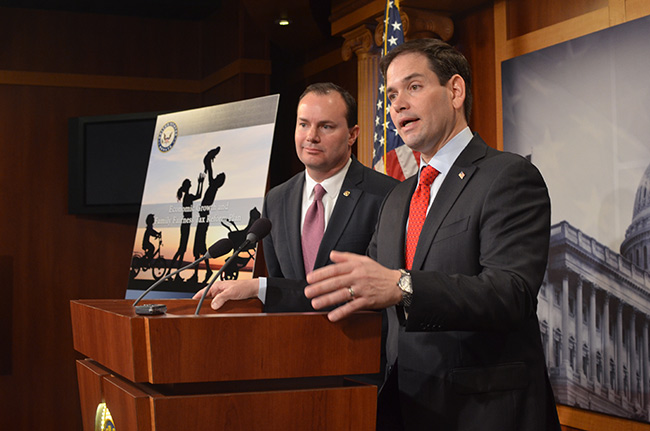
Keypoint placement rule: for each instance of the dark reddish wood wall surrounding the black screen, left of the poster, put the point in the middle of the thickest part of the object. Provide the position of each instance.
(57, 256)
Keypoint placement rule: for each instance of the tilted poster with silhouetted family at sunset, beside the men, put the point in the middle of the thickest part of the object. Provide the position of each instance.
(205, 181)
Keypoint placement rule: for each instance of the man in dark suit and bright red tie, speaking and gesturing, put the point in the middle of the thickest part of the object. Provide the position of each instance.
(457, 261)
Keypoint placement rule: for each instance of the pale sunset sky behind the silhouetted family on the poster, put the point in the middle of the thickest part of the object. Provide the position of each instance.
(245, 182)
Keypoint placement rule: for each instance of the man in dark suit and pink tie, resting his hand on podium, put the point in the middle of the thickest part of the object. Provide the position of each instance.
(326, 129)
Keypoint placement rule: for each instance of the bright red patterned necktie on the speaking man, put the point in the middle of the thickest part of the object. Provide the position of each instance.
(418, 211)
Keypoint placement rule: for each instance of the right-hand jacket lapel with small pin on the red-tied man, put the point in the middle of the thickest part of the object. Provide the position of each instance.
(448, 195)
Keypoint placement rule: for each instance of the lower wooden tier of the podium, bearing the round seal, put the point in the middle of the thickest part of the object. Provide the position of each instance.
(144, 407)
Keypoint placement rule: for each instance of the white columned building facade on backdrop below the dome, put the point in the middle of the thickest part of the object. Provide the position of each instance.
(594, 313)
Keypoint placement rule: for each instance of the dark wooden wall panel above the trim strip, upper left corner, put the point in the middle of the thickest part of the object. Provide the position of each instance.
(93, 44)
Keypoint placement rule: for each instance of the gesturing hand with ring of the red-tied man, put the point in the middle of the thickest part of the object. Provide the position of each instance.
(357, 279)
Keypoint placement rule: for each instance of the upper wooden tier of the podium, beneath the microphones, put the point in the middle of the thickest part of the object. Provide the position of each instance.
(180, 347)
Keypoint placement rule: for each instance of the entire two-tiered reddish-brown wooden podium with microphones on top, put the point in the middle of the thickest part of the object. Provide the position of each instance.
(238, 369)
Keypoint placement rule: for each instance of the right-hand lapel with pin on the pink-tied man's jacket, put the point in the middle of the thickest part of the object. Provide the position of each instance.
(347, 200)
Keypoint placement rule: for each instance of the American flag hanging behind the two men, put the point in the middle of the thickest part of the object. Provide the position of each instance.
(390, 155)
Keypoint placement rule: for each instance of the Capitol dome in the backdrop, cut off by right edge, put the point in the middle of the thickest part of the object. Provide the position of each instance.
(637, 236)
